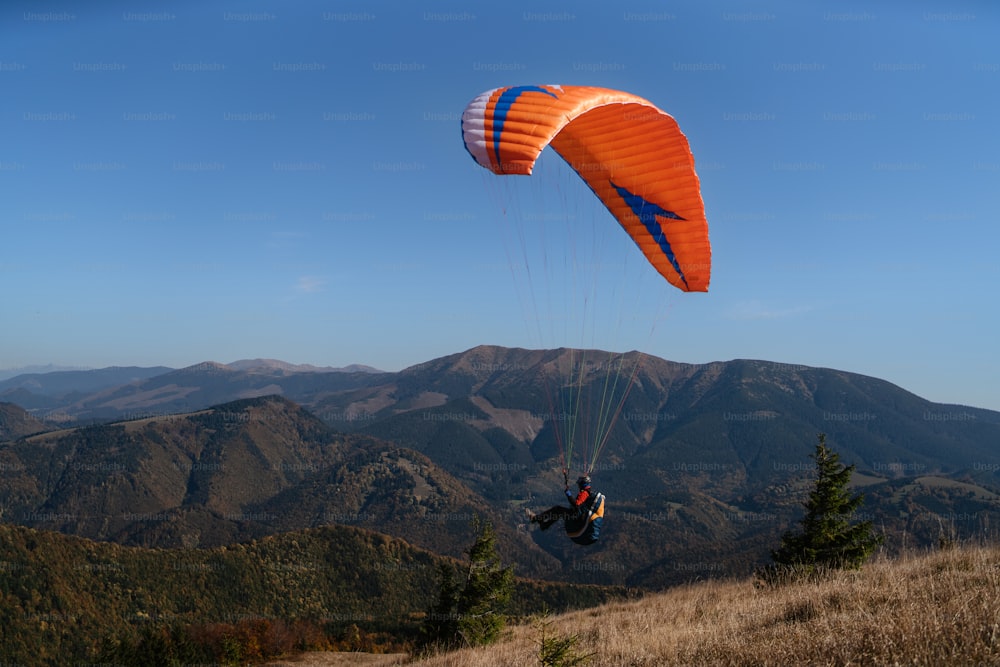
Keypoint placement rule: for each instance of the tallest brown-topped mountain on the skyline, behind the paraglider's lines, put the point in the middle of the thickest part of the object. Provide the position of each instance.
(745, 423)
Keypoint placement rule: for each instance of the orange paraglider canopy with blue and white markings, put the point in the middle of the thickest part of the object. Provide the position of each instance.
(631, 154)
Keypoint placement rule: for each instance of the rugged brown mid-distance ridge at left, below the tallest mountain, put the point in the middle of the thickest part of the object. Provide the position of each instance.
(239, 471)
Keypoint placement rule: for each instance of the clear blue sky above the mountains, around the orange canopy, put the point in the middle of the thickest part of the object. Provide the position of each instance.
(184, 181)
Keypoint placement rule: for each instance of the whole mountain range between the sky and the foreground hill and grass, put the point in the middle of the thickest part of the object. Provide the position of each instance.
(707, 463)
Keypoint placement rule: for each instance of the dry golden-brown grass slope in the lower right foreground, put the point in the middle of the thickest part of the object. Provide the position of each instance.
(941, 608)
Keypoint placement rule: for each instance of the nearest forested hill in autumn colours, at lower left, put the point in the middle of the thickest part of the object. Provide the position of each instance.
(64, 596)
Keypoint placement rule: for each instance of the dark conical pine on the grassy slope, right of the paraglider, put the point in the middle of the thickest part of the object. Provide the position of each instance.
(827, 539)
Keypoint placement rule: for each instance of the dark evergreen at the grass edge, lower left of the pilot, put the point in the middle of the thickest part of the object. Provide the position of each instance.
(471, 614)
